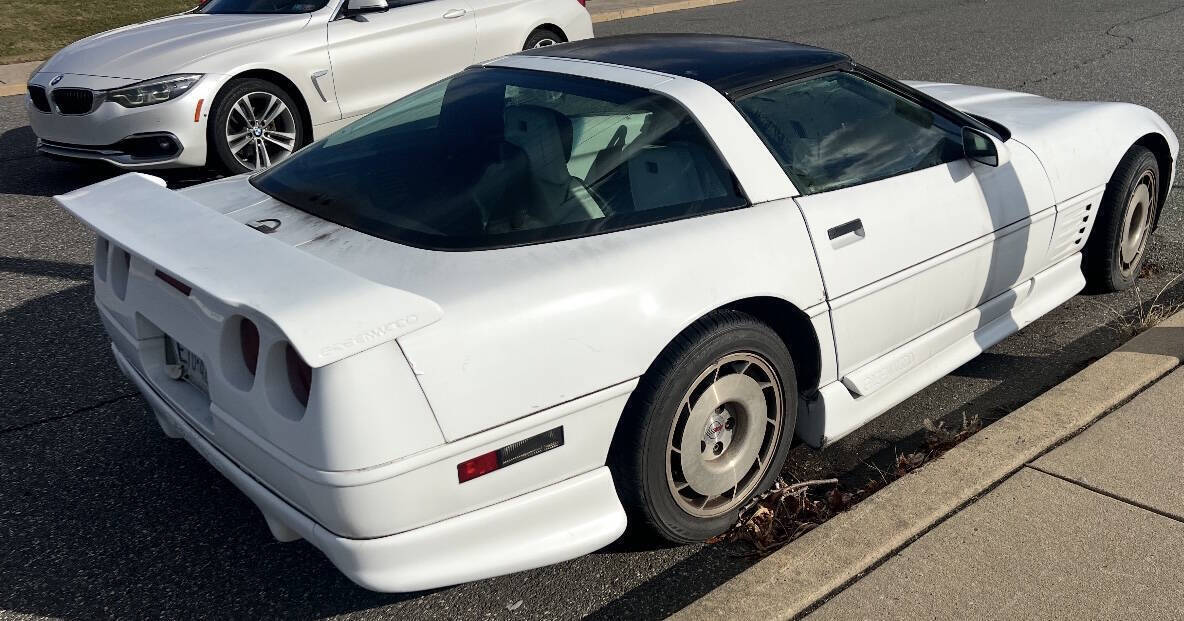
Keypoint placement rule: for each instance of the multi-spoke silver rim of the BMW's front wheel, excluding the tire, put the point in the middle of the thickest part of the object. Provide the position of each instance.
(261, 131)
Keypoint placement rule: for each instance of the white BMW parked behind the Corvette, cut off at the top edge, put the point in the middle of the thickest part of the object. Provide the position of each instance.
(244, 84)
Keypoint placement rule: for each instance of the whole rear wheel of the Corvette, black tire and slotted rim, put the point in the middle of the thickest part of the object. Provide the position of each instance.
(707, 430)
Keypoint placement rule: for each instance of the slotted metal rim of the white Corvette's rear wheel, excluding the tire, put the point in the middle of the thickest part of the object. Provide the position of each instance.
(725, 436)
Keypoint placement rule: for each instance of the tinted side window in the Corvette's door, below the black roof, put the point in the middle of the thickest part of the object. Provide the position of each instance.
(839, 131)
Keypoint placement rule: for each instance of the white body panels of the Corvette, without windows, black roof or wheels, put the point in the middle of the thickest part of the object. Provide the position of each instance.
(424, 360)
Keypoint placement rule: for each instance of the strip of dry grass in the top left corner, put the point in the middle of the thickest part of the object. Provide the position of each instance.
(33, 30)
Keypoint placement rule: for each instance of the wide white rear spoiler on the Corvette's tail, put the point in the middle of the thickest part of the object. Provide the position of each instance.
(327, 312)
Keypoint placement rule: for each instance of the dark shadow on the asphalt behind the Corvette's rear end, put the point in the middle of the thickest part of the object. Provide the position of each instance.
(102, 516)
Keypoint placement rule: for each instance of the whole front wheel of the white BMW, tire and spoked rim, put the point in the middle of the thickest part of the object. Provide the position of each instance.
(255, 125)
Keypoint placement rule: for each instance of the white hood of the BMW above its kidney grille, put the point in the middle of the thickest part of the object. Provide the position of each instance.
(168, 46)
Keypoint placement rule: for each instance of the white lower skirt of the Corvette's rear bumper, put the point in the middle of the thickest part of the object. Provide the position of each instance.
(563, 521)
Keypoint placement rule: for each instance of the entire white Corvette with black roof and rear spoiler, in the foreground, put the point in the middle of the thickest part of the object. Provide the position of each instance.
(477, 330)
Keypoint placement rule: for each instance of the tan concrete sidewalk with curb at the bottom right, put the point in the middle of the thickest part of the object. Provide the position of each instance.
(1070, 508)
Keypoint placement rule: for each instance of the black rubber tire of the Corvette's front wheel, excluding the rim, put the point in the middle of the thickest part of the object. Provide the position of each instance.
(1103, 259)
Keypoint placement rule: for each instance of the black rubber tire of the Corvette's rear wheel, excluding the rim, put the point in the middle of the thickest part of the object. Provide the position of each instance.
(639, 458)
